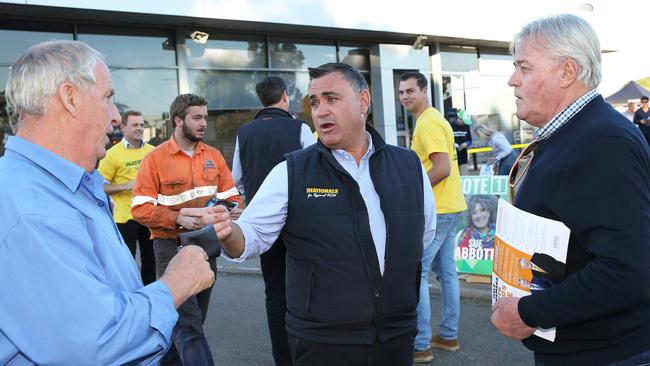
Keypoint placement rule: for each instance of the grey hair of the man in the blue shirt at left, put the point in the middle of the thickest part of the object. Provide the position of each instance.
(37, 74)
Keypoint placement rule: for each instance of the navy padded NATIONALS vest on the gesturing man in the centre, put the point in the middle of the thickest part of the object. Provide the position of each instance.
(335, 290)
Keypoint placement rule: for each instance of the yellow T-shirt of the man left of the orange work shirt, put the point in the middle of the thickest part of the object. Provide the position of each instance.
(119, 166)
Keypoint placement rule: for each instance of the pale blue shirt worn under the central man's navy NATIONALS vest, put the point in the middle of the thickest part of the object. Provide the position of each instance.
(263, 219)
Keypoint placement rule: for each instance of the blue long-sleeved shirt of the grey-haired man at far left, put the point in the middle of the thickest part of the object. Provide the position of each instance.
(71, 292)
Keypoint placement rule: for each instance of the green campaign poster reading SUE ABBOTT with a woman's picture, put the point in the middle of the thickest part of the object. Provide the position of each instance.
(475, 230)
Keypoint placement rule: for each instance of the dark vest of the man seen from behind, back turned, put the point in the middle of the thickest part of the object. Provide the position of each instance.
(263, 143)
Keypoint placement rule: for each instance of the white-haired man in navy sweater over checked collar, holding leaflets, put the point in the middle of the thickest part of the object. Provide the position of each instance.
(590, 169)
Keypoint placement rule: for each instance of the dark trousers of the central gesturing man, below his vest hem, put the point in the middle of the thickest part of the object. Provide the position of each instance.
(395, 352)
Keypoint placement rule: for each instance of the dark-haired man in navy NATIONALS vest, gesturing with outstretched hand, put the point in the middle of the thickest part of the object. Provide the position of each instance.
(355, 214)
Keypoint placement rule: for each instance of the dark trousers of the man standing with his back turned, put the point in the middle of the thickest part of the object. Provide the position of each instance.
(273, 264)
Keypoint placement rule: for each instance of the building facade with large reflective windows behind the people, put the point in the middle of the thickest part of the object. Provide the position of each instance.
(155, 54)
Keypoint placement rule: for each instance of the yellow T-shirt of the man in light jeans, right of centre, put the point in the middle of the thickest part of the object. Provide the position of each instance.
(434, 134)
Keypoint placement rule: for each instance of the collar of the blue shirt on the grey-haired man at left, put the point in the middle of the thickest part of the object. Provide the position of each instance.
(68, 173)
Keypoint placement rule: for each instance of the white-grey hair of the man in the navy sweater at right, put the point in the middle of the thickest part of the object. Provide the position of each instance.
(565, 36)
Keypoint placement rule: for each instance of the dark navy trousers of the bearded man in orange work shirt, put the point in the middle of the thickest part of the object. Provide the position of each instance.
(189, 345)
